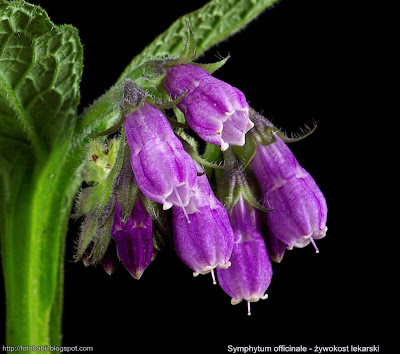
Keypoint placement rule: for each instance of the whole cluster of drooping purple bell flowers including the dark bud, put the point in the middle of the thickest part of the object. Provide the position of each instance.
(207, 235)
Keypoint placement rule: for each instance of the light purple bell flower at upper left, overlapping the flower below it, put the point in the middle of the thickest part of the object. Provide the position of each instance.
(163, 170)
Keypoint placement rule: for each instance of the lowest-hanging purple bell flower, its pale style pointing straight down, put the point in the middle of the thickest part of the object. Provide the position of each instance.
(250, 274)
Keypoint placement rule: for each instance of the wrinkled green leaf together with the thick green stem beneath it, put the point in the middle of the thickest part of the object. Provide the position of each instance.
(40, 71)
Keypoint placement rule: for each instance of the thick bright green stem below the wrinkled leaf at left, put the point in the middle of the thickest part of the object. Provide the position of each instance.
(33, 243)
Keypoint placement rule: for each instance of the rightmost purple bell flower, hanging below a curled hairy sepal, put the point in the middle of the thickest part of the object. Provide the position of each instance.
(299, 208)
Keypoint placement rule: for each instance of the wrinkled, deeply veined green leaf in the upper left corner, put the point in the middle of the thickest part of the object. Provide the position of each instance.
(40, 70)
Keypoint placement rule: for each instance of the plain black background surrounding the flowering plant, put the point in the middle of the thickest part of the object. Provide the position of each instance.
(302, 61)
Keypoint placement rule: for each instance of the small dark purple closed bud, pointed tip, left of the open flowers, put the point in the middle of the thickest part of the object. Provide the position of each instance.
(134, 238)
